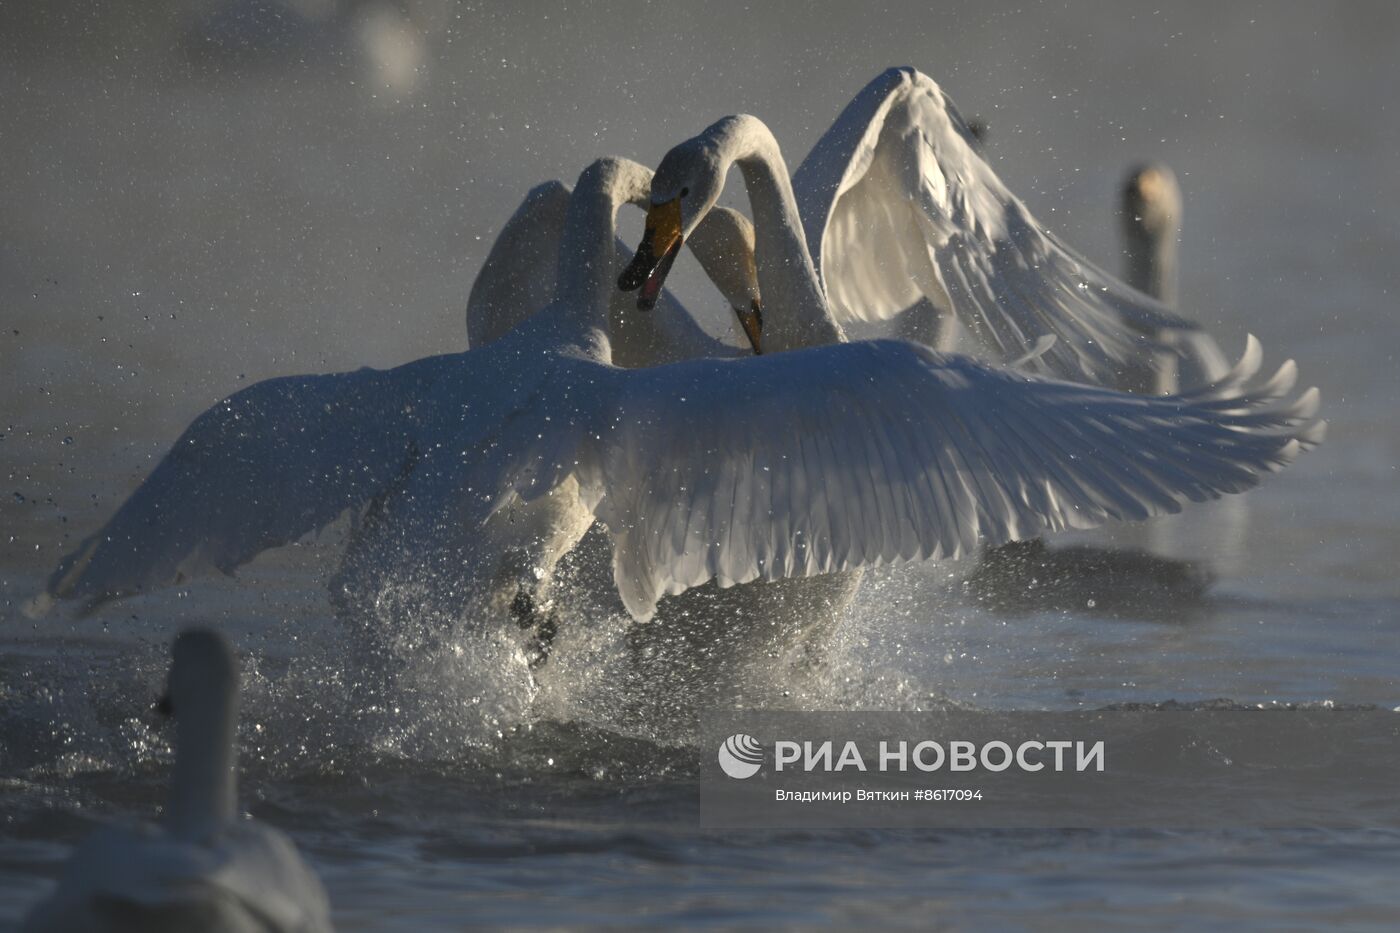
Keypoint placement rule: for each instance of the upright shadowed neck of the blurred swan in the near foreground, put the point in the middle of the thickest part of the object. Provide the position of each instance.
(204, 794)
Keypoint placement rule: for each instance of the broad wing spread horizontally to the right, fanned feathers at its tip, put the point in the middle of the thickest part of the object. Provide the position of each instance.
(846, 456)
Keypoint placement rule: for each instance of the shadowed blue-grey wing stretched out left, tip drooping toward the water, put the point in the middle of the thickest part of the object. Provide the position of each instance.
(258, 470)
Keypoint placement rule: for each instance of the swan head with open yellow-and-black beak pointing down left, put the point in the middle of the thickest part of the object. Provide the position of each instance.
(685, 188)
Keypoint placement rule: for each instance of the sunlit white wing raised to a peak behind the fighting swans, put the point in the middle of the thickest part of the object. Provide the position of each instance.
(898, 205)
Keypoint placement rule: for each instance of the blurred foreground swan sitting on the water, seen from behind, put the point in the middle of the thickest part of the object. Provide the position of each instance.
(205, 869)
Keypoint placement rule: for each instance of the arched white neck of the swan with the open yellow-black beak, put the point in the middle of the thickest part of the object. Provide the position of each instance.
(787, 279)
